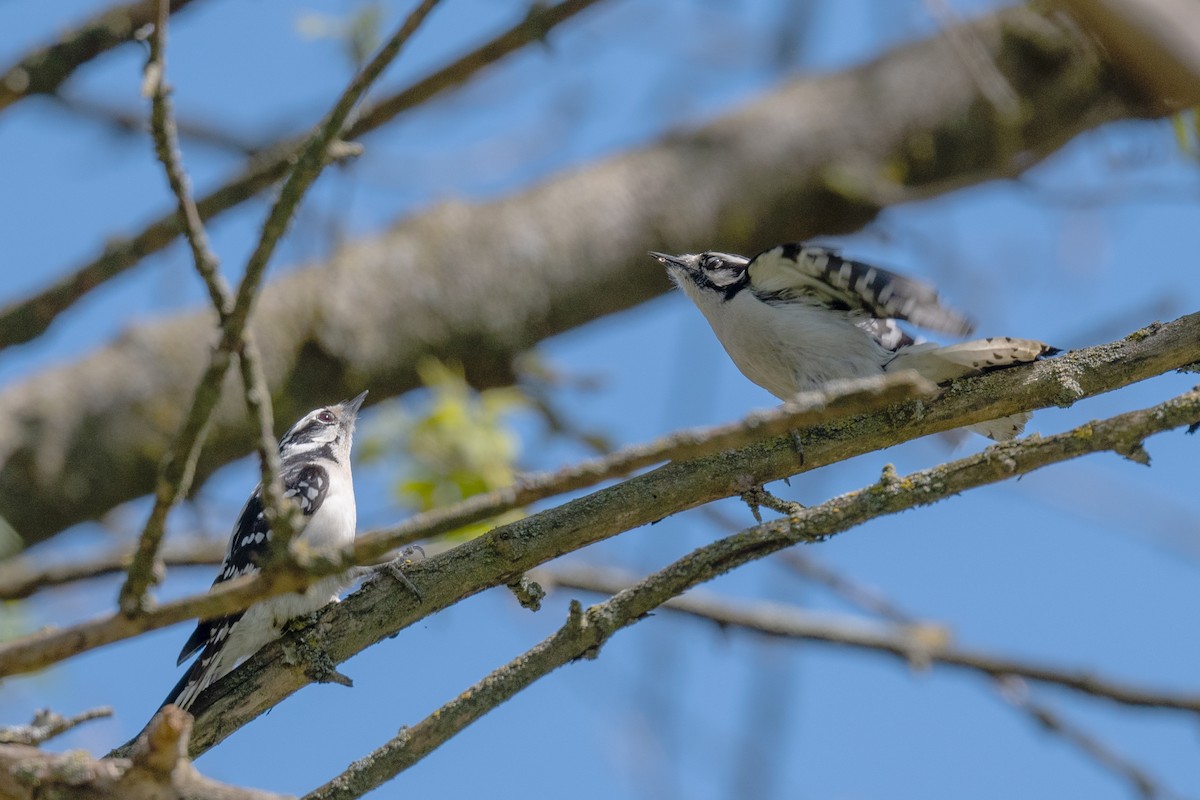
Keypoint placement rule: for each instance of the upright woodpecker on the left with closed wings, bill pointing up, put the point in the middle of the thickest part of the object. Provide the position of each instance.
(315, 460)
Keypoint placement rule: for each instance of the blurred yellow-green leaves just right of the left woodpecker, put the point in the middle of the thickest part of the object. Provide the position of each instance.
(454, 444)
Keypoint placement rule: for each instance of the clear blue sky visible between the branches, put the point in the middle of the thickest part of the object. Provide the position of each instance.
(1091, 566)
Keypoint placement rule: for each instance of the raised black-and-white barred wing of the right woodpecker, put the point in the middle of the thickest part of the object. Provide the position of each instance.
(800, 272)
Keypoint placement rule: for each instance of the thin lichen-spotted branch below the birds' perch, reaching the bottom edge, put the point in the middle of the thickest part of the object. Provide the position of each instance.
(586, 631)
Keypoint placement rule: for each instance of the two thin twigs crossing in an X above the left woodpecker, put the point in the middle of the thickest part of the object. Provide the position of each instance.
(181, 464)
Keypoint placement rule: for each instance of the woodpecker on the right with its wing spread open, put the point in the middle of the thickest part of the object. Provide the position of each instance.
(799, 316)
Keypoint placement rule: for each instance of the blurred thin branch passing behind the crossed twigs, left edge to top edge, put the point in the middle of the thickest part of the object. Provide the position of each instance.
(27, 320)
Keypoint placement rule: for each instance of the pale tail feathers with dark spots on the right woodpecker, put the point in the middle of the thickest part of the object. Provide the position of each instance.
(947, 363)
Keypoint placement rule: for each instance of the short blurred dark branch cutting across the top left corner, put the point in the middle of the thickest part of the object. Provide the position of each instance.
(45, 70)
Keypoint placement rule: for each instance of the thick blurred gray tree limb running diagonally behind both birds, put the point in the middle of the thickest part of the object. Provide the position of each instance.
(483, 284)
